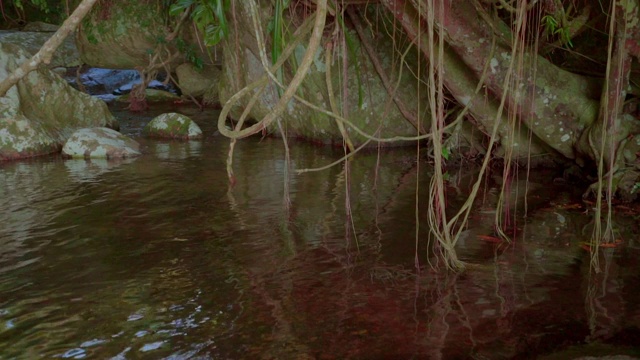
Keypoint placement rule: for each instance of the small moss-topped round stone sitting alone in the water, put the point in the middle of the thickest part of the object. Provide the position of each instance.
(173, 126)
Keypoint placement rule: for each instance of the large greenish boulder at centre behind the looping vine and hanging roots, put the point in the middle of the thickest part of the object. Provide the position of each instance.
(368, 103)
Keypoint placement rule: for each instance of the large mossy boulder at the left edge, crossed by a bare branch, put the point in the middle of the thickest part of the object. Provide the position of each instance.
(38, 114)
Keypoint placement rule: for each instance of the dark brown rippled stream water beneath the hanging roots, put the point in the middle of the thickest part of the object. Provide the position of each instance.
(154, 258)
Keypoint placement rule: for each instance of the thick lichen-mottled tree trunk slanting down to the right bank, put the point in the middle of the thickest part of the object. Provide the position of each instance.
(555, 109)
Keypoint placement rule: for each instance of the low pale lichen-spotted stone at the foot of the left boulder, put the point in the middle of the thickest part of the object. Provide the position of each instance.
(100, 143)
